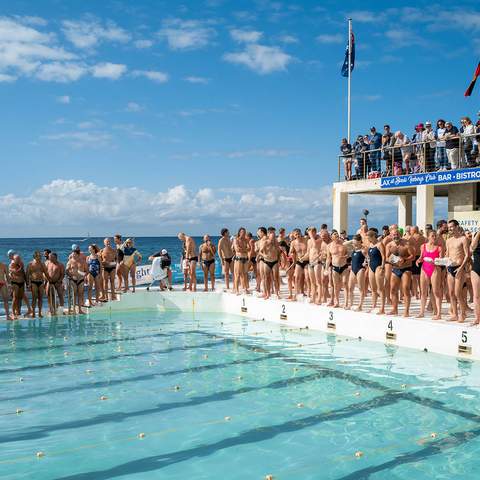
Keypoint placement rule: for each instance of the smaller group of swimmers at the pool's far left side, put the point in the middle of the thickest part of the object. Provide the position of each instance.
(103, 271)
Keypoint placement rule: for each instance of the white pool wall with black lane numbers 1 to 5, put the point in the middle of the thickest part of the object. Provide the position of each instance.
(454, 339)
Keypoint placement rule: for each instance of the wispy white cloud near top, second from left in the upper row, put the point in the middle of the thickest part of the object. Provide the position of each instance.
(89, 33)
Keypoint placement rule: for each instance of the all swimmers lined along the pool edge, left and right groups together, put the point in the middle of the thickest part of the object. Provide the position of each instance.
(440, 267)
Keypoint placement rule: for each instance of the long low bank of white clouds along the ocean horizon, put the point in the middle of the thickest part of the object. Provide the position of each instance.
(202, 210)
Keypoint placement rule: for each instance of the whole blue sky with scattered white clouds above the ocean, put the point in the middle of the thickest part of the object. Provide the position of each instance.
(152, 117)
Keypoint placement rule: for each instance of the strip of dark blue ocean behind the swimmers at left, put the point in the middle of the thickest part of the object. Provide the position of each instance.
(62, 246)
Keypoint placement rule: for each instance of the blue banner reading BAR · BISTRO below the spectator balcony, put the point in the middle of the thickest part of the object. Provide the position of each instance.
(431, 178)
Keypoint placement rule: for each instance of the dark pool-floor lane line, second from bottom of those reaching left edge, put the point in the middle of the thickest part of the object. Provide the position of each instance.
(150, 376)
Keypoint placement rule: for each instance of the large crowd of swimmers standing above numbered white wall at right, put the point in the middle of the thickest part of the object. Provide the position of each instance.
(439, 267)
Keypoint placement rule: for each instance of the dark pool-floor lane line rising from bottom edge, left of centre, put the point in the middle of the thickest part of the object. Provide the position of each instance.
(252, 436)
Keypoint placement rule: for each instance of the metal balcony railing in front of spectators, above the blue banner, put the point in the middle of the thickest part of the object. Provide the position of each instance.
(412, 157)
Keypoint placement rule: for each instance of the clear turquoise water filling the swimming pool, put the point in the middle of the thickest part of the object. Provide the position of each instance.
(252, 399)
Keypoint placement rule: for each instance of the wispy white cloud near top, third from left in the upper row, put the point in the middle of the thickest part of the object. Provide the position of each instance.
(186, 34)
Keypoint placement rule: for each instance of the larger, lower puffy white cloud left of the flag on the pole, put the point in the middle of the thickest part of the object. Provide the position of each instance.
(260, 58)
